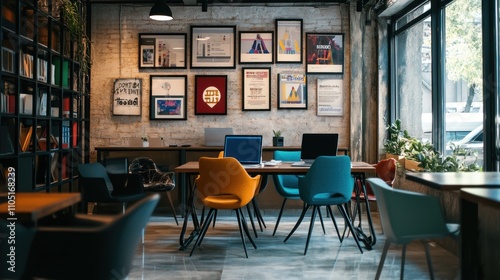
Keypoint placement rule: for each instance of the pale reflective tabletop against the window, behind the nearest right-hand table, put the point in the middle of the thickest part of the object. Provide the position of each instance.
(452, 181)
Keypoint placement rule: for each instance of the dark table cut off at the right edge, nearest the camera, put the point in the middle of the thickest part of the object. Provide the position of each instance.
(471, 258)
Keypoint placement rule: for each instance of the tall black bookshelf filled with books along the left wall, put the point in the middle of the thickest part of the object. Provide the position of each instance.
(44, 97)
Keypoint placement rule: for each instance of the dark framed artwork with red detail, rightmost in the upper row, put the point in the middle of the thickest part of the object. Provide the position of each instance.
(325, 53)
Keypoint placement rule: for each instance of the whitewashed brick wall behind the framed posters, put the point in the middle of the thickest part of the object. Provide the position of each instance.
(115, 32)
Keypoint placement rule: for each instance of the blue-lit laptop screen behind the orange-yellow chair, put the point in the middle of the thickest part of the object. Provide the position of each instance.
(247, 149)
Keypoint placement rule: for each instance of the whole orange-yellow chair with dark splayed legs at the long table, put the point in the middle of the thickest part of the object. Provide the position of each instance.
(223, 183)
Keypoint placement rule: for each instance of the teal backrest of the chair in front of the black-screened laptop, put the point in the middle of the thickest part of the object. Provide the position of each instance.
(329, 178)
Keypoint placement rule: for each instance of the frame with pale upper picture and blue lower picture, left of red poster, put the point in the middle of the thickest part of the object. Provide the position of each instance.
(168, 98)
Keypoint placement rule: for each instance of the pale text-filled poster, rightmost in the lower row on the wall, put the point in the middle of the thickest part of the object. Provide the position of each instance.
(330, 100)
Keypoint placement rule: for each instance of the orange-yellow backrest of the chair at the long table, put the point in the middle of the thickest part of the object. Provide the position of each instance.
(219, 176)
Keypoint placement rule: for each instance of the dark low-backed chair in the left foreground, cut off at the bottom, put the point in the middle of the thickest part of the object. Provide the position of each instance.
(90, 247)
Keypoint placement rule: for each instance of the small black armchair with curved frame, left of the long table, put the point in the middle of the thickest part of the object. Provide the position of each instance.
(153, 179)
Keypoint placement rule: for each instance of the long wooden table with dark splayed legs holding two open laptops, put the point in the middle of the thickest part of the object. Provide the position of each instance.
(358, 169)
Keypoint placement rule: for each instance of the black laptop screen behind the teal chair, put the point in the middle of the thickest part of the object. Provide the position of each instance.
(318, 144)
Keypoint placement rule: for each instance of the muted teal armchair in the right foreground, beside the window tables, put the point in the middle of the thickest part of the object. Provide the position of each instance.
(408, 216)
